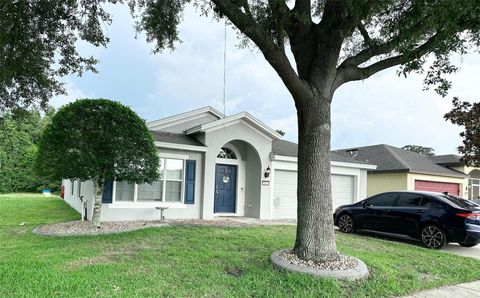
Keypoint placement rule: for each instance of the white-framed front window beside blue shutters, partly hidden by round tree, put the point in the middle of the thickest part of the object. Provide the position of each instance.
(167, 189)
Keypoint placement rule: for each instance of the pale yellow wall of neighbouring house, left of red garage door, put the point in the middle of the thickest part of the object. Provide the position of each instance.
(378, 183)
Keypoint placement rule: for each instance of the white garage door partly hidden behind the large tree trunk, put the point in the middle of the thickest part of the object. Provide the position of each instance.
(285, 193)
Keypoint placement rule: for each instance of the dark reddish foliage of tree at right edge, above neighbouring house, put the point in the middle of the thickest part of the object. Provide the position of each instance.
(467, 115)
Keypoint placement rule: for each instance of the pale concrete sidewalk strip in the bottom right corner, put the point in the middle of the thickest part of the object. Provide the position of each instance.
(458, 291)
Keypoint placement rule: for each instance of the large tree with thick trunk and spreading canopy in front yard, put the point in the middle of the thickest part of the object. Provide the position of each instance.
(332, 42)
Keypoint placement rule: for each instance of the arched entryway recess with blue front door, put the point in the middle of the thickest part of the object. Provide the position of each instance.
(237, 176)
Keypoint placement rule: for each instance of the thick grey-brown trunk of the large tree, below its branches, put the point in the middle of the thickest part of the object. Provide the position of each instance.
(315, 239)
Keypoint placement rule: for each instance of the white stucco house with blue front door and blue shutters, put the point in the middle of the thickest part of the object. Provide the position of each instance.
(212, 166)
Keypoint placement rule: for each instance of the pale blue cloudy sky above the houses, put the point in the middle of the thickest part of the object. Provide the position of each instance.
(384, 109)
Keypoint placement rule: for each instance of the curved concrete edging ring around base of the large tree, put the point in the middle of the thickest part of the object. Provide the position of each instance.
(358, 273)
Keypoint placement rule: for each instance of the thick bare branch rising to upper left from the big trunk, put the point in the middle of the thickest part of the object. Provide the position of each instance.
(272, 53)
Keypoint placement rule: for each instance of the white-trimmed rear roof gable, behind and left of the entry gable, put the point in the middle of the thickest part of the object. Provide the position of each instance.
(184, 121)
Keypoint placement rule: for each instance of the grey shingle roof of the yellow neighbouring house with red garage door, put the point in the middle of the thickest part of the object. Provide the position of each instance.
(393, 159)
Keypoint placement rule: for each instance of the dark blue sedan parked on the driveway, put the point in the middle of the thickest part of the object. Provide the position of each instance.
(434, 218)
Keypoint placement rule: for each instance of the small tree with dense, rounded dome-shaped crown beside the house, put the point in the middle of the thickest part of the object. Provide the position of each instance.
(99, 140)
